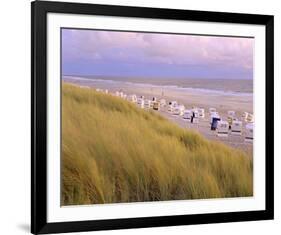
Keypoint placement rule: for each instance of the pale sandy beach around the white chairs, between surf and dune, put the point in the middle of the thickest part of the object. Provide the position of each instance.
(222, 101)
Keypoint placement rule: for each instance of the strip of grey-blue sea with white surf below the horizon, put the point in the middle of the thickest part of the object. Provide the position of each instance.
(219, 86)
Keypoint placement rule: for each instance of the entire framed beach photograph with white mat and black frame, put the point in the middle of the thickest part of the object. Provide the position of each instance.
(146, 117)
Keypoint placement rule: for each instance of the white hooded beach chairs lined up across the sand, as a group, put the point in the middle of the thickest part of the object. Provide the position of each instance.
(223, 128)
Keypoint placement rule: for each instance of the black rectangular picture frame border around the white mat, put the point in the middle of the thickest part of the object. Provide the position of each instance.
(39, 12)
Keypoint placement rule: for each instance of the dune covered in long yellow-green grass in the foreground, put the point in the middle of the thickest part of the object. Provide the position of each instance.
(113, 151)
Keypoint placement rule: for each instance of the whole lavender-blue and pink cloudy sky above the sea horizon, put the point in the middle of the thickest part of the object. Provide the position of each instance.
(123, 54)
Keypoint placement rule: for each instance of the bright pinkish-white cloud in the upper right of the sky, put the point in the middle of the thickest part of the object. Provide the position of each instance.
(181, 49)
